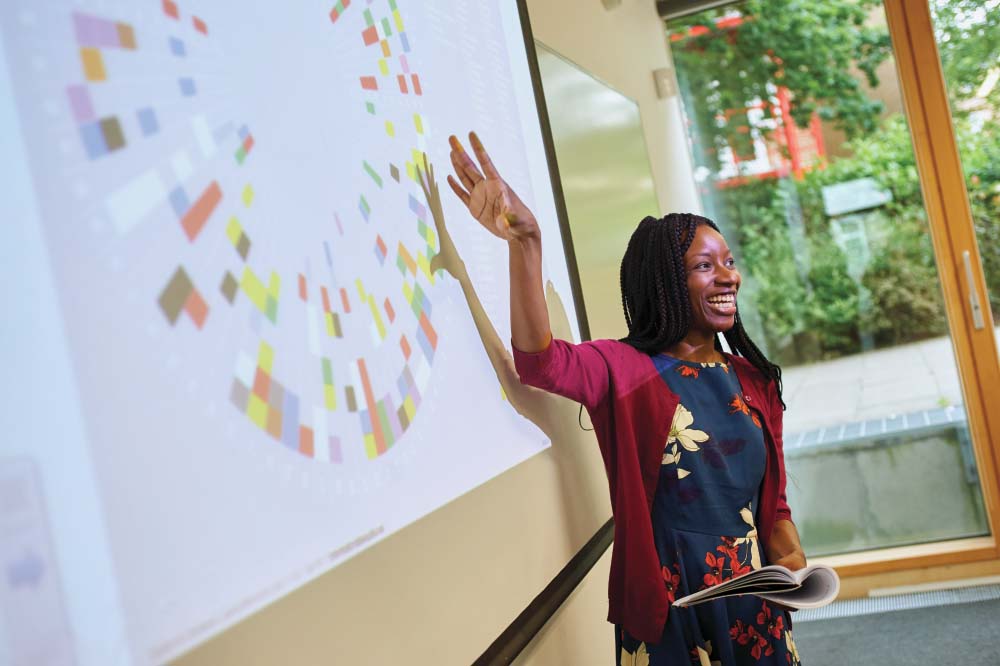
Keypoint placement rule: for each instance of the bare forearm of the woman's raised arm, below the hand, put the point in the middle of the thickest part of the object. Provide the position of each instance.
(529, 318)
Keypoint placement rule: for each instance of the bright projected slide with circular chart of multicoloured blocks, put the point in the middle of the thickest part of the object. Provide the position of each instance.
(272, 372)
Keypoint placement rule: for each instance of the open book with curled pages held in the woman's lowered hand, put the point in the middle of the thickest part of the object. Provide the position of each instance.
(812, 587)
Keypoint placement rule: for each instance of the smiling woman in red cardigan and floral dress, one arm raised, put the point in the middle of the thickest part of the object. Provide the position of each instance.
(691, 436)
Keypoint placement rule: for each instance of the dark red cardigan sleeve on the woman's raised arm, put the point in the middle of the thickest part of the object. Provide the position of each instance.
(575, 371)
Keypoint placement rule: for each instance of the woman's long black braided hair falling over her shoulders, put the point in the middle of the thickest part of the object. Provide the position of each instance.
(655, 296)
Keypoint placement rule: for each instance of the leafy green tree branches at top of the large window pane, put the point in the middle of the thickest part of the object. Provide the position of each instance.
(812, 47)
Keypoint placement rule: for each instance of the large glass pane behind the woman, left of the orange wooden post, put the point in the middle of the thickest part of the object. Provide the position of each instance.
(803, 156)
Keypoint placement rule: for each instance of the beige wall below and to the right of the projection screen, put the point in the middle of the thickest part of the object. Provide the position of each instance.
(441, 590)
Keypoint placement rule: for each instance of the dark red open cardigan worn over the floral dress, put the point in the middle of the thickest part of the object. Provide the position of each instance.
(631, 409)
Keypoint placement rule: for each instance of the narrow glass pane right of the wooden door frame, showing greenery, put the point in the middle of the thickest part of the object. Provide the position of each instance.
(968, 39)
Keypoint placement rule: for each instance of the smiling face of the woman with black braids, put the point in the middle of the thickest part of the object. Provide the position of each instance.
(712, 282)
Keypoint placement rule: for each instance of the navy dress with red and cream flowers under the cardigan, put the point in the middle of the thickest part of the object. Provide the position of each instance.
(704, 528)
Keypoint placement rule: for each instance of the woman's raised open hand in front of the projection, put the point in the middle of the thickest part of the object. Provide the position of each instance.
(487, 196)
